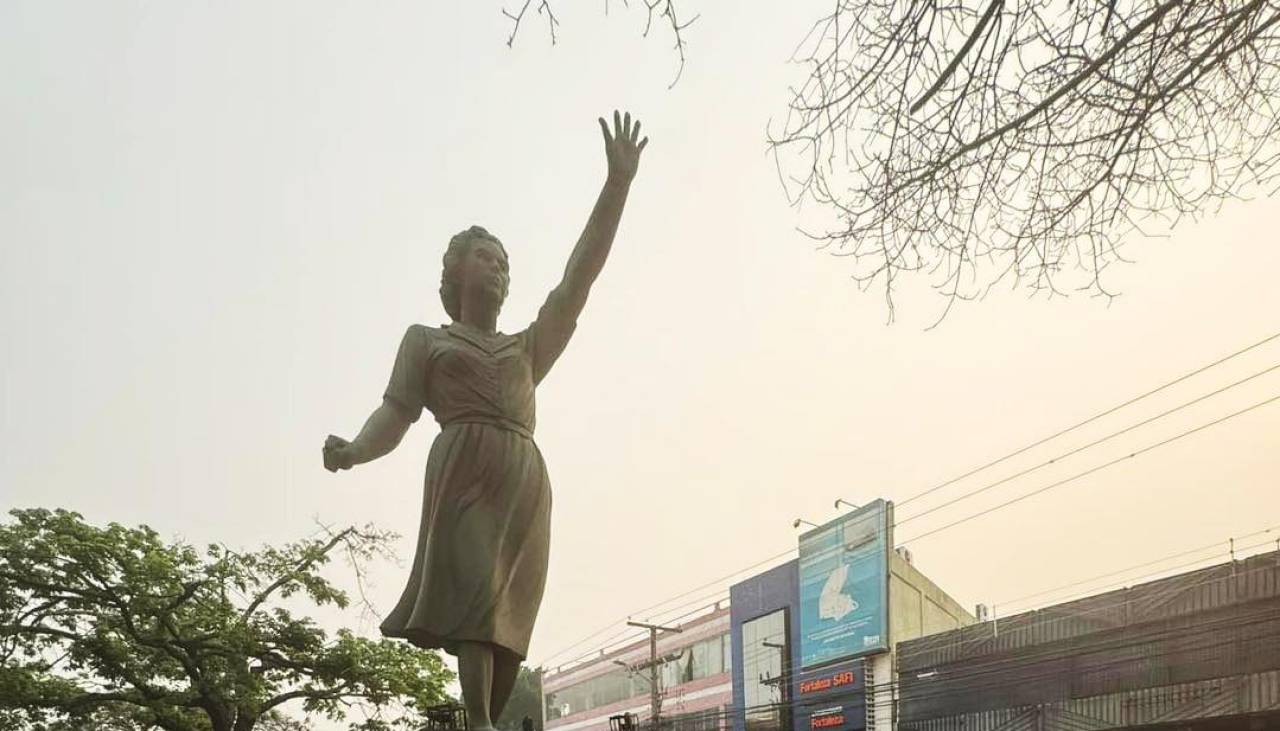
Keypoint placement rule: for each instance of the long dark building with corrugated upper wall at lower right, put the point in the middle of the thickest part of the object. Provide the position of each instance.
(1200, 651)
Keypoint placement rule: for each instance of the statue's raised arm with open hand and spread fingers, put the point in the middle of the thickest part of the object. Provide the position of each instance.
(557, 318)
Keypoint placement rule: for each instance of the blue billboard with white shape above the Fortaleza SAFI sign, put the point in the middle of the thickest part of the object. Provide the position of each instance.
(844, 587)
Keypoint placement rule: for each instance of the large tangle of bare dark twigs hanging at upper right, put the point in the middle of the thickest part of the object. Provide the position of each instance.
(988, 141)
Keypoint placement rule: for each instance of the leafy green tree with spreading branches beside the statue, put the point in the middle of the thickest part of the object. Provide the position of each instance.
(115, 629)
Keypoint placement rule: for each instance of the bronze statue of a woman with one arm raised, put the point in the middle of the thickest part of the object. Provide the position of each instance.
(481, 563)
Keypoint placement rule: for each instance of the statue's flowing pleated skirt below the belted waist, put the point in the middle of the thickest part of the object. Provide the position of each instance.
(481, 564)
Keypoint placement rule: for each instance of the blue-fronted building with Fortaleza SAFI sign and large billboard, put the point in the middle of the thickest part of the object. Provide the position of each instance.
(815, 639)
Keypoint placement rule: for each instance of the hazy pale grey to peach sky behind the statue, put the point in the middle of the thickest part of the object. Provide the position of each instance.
(217, 221)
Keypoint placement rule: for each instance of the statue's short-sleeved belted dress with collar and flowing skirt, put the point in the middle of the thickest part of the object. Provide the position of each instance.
(482, 554)
